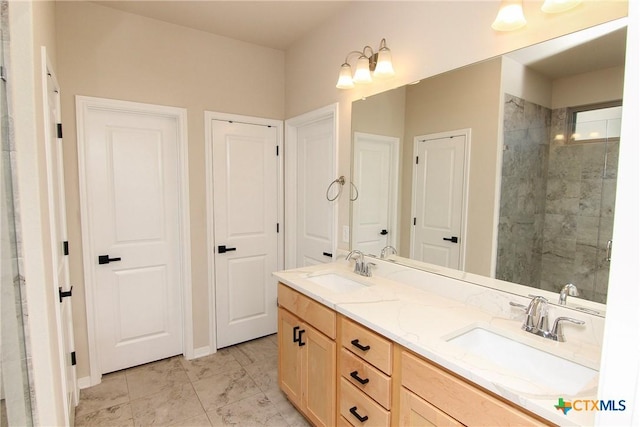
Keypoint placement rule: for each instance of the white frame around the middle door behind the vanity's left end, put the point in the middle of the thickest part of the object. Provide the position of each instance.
(208, 149)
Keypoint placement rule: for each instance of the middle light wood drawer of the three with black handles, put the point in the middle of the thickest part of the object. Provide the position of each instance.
(378, 385)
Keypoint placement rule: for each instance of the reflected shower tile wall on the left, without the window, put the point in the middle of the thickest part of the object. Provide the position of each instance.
(523, 191)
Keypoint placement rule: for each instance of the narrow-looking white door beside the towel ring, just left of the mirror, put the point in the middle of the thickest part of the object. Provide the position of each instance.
(315, 213)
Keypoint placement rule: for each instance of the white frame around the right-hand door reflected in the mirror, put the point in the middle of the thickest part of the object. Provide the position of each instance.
(465, 186)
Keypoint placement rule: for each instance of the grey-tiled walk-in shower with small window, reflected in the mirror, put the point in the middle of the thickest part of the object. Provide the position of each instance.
(558, 188)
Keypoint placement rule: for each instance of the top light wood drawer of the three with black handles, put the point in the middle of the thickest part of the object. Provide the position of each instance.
(366, 344)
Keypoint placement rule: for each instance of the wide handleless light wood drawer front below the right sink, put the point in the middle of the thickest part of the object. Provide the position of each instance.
(459, 399)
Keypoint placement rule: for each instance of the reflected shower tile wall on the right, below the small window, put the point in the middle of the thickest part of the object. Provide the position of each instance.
(579, 212)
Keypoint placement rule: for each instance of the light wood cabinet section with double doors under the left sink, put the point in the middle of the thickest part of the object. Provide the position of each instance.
(307, 358)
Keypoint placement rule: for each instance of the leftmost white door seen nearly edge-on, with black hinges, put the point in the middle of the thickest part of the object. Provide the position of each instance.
(60, 249)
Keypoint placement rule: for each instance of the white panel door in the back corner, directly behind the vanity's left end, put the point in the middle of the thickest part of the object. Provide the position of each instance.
(245, 206)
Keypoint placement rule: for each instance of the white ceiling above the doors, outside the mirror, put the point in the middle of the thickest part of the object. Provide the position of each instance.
(274, 24)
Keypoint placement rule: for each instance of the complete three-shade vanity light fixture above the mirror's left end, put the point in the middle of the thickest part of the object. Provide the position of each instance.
(368, 61)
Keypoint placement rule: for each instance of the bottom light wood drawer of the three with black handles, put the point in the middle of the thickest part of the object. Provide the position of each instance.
(353, 401)
